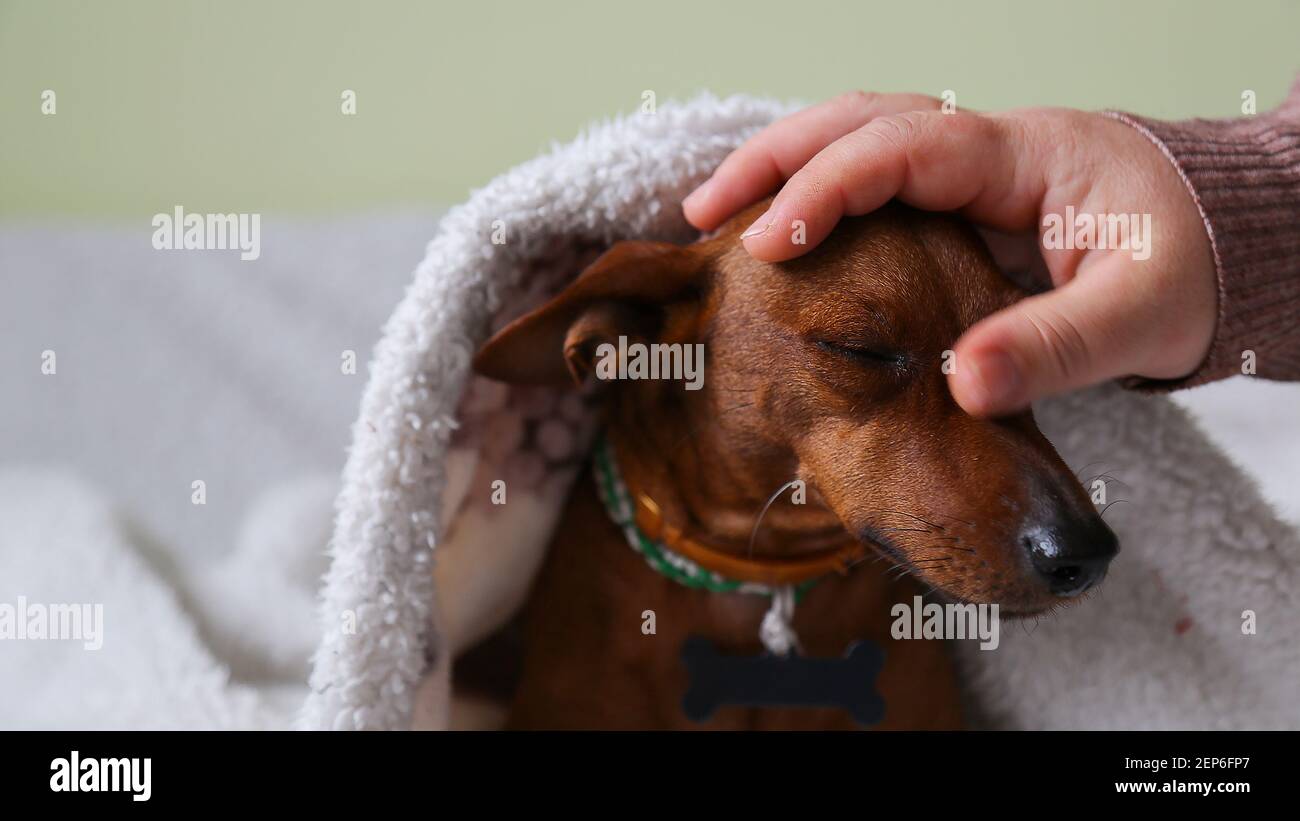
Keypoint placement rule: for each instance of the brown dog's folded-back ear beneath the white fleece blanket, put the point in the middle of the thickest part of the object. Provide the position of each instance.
(625, 292)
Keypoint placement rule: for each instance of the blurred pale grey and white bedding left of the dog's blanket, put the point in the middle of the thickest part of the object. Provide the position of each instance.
(175, 367)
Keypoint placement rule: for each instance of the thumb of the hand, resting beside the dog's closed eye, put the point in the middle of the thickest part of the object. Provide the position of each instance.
(1080, 335)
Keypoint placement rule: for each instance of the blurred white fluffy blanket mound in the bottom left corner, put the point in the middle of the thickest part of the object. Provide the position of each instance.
(136, 658)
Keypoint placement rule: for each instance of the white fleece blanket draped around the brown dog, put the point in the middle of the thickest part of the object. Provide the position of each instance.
(1162, 648)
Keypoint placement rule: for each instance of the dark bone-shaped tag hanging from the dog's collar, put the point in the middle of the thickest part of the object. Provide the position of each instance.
(783, 681)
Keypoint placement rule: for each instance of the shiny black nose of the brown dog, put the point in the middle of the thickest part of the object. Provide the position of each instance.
(1072, 557)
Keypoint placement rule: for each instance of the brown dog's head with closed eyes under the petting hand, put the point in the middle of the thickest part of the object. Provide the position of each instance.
(830, 368)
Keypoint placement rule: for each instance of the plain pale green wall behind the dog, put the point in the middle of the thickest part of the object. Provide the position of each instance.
(236, 106)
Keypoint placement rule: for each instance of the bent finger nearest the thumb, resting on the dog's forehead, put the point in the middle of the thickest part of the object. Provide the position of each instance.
(982, 166)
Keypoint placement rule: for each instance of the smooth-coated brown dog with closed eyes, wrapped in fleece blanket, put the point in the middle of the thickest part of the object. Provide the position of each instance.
(827, 368)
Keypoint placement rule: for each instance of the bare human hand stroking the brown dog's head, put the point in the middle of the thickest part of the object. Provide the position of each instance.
(1111, 314)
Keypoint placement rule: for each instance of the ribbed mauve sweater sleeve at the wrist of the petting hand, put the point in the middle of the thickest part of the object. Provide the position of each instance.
(1245, 176)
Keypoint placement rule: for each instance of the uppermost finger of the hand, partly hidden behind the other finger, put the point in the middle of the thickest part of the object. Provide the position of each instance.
(770, 158)
